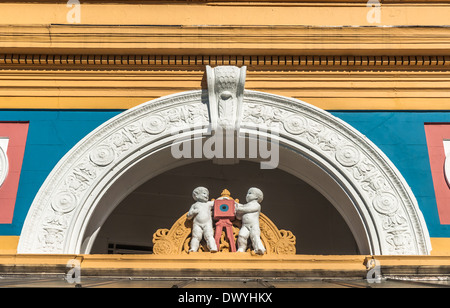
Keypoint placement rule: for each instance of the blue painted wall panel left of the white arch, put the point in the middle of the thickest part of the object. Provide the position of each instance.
(51, 134)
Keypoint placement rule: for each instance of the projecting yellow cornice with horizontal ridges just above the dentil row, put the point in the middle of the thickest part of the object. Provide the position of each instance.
(205, 40)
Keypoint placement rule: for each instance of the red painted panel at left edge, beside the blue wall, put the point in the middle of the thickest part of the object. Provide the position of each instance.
(17, 134)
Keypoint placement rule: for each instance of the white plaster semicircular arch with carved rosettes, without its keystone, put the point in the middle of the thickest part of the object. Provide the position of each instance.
(114, 159)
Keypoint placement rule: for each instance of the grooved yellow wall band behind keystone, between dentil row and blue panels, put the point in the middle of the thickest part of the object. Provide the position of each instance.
(325, 89)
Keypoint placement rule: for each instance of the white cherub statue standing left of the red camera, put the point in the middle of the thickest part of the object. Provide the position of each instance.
(201, 212)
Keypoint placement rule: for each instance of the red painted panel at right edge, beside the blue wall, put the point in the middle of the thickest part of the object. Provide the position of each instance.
(436, 134)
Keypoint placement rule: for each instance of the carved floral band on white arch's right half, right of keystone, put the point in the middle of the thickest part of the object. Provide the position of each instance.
(381, 192)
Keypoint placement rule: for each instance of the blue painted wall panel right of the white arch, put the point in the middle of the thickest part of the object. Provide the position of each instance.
(401, 136)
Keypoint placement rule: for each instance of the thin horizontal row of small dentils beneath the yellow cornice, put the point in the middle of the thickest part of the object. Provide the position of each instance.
(198, 61)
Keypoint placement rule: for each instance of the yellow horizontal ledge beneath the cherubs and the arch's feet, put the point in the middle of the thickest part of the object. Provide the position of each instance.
(224, 264)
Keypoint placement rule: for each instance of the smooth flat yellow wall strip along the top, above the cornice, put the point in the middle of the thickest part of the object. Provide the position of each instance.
(330, 13)
